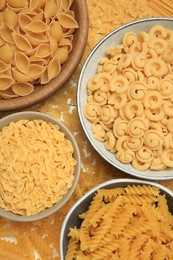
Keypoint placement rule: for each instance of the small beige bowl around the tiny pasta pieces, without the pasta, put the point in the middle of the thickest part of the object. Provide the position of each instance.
(68, 135)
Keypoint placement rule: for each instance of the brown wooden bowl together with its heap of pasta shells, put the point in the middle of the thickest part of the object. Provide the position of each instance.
(41, 45)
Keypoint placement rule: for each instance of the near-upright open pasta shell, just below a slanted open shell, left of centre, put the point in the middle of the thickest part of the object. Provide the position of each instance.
(21, 61)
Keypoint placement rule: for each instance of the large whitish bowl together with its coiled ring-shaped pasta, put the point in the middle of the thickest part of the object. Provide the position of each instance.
(125, 98)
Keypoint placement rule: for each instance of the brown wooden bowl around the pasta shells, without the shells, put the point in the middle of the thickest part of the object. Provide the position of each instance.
(41, 92)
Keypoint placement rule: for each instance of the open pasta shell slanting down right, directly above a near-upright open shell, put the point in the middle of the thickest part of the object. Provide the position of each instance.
(22, 42)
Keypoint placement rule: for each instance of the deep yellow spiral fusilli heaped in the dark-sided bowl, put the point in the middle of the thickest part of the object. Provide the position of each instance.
(124, 223)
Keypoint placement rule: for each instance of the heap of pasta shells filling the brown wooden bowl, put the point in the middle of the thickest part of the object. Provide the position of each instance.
(36, 38)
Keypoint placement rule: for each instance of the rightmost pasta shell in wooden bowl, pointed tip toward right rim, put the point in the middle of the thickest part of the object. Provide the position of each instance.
(67, 21)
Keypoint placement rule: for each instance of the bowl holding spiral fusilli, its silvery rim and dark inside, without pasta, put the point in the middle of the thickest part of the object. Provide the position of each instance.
(72, 220)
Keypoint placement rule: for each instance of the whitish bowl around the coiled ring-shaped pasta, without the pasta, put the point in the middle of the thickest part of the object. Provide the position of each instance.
(89, 69)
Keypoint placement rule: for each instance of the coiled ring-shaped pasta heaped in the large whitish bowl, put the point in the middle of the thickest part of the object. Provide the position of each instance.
(130, 99)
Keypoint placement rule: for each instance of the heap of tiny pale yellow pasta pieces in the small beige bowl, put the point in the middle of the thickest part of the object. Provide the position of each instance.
(36, 166)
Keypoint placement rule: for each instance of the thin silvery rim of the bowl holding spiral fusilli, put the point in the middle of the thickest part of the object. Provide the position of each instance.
(100, 186)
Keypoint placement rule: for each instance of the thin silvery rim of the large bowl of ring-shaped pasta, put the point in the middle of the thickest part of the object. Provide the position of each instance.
(137, 174)
